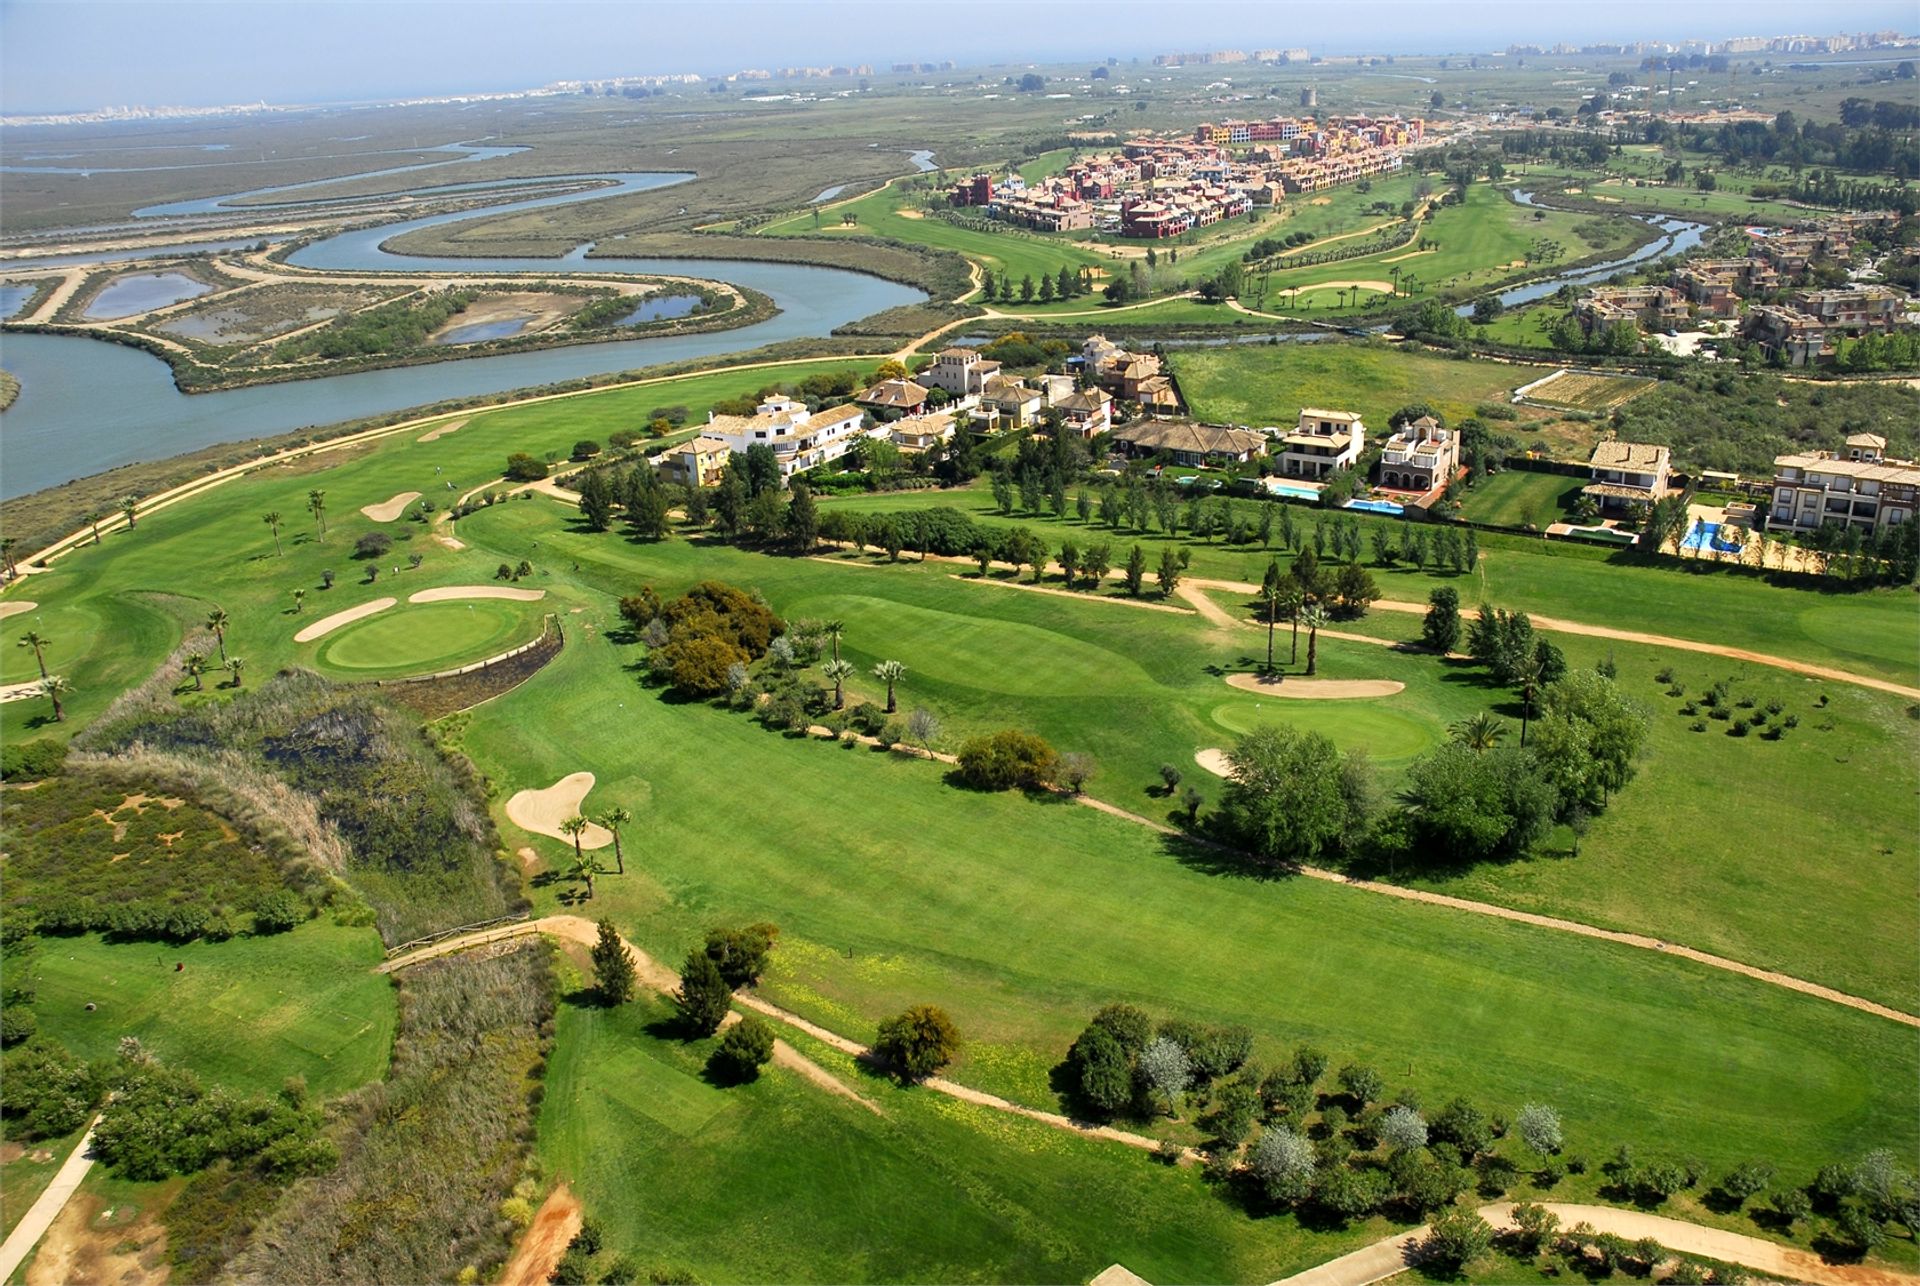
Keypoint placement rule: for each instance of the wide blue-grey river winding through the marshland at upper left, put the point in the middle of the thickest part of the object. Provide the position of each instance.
(87, 406)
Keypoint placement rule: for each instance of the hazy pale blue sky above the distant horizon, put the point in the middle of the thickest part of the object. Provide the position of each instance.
(80, 55)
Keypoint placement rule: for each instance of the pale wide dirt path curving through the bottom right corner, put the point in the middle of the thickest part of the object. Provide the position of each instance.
(1397, 1254)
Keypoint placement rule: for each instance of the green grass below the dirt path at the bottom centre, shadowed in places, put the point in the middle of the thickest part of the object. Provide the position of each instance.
(930, 1191)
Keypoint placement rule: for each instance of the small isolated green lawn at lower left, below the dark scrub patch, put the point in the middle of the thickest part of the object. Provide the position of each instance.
(249, 1012)
